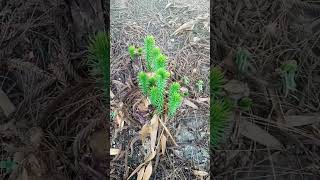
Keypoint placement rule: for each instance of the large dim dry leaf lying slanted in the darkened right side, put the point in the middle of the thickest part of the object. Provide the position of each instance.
(255, 133)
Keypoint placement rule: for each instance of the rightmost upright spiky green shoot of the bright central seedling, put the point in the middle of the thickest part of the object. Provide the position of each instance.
(175, 99)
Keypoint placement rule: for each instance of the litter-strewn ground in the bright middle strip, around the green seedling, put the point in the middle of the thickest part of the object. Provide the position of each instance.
(181, 30)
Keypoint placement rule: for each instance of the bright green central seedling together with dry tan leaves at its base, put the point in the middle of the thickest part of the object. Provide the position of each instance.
(153, 83)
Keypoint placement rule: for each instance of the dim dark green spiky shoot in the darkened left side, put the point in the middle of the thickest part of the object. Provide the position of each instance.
(99, 47)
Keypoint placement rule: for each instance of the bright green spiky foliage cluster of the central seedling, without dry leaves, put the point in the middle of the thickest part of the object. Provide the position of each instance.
(153, 82)
